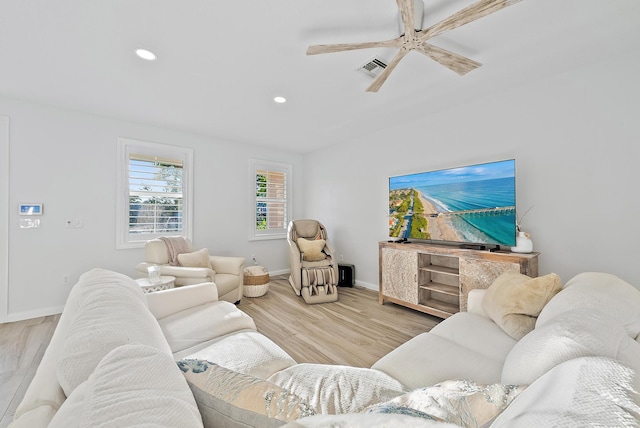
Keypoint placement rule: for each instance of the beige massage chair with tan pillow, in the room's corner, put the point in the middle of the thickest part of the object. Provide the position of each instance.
(314, 269)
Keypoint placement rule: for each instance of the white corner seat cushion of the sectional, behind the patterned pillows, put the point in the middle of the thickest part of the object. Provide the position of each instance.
(260, 356)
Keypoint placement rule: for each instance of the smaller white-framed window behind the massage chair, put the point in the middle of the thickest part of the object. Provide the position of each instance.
(270, 199)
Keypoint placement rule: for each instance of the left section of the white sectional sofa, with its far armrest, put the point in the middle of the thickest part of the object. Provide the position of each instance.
(110, 329)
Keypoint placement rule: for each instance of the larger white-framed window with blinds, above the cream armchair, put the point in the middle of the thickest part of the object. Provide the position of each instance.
(154, 192)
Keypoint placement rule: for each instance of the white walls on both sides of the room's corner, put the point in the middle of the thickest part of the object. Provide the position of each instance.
(574, 136)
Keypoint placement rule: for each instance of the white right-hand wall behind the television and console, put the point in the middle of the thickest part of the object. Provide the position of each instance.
(576, 141)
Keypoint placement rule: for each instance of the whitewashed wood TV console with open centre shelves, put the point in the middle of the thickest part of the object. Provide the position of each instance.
(436, 279)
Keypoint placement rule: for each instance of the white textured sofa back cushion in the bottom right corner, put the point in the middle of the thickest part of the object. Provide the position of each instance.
(587, 391)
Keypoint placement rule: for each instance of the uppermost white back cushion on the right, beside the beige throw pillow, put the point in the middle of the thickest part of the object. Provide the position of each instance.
(599, 291)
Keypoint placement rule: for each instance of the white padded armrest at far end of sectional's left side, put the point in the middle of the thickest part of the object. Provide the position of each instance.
(167, 302)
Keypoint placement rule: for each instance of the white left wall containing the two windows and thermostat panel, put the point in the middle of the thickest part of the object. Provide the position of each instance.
(67, 161)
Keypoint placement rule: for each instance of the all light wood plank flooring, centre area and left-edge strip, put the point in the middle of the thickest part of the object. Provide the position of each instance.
(354, 331)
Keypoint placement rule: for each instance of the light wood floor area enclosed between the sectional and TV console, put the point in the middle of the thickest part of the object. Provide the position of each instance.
(354, 331)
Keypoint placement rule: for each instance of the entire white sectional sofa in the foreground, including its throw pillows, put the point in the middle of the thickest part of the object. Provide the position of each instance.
(577, 367)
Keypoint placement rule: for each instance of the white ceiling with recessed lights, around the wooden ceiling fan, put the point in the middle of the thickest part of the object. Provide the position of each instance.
(221, 62)
